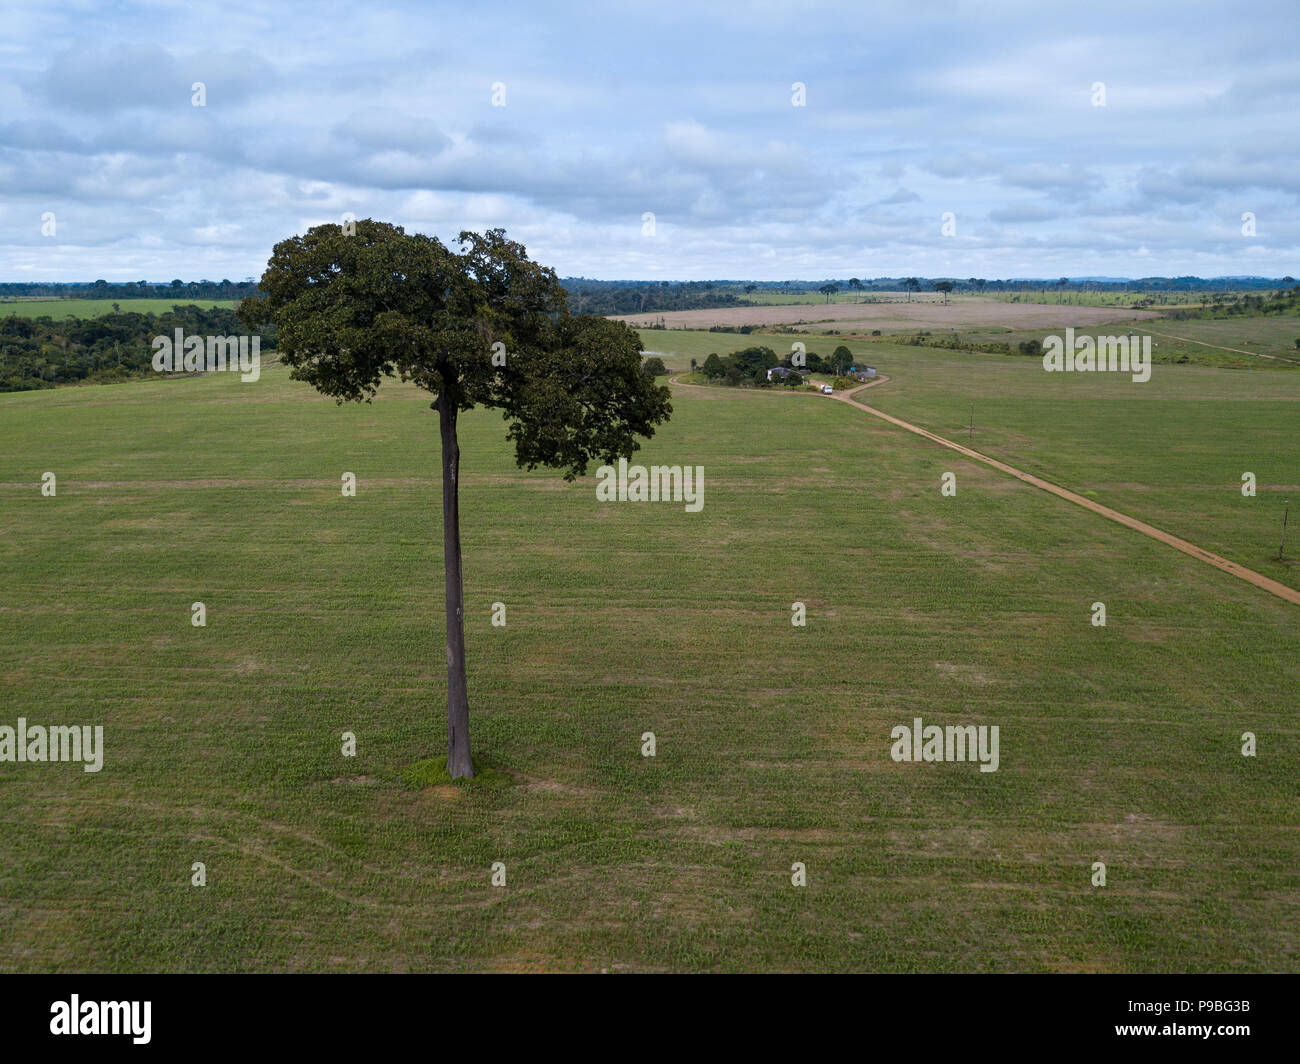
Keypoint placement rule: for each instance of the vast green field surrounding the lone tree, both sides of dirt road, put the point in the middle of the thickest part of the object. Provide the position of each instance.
(1119, 745)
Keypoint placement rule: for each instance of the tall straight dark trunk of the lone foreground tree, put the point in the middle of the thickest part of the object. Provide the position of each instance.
(458, 697)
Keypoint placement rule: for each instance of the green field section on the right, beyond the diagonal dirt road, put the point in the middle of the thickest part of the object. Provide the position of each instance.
(1171, 452)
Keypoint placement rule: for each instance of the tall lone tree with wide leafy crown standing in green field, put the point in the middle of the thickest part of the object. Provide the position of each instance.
(482, 327)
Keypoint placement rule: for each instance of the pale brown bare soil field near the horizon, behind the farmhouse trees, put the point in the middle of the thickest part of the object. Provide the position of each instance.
(959, 314)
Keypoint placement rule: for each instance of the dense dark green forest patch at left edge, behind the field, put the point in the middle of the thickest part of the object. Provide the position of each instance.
(42, 353)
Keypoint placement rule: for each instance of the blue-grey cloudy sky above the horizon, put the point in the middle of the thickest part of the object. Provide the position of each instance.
(684, 110)
